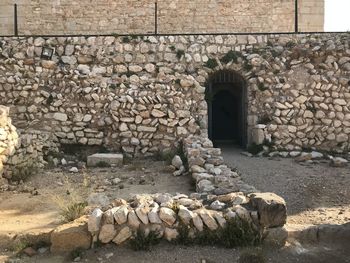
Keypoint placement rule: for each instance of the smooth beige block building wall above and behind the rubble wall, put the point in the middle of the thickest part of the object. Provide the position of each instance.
(55, 17)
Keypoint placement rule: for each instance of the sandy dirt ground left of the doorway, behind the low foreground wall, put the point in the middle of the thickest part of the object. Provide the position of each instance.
(35, 207)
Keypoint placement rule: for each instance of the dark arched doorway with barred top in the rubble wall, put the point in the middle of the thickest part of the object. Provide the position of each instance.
(227, 108)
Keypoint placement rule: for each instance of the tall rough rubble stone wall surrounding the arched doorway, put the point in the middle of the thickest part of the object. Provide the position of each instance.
(142, 95)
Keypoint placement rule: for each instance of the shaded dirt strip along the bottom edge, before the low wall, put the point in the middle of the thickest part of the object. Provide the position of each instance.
(195, 254)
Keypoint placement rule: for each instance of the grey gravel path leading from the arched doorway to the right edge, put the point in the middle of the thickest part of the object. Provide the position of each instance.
(315, 193)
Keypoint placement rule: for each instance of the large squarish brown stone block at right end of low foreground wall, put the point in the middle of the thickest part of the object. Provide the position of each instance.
(272, 209)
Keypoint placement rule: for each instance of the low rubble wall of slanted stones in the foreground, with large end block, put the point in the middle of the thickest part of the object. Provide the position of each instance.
(166, 215)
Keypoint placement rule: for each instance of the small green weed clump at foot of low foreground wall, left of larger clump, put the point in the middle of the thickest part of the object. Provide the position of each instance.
(141, 241)
